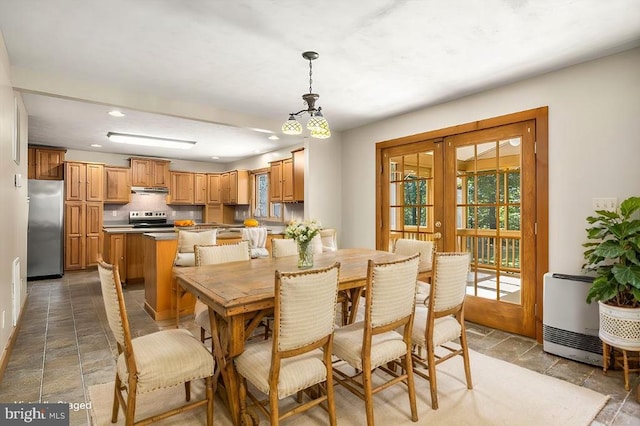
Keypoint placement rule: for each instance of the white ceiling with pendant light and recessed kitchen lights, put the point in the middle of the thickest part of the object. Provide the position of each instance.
(212, 70)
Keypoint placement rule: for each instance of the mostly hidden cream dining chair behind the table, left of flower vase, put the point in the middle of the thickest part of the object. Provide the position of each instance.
(212, 255)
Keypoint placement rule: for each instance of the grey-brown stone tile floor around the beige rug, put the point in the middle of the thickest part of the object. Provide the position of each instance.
(64, 346)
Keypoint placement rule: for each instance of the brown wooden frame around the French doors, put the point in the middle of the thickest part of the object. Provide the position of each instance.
(540, 116)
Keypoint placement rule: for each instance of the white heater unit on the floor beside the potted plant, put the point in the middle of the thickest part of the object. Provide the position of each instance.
(569, 324)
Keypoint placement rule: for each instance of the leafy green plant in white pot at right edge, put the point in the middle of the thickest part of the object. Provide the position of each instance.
(613, 255)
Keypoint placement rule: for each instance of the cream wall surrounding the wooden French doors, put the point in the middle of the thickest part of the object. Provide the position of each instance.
(594, 147)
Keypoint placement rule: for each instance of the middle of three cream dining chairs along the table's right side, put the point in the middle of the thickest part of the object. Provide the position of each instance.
(374, 342)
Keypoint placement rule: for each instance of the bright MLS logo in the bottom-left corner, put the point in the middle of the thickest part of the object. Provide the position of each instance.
(34, 414)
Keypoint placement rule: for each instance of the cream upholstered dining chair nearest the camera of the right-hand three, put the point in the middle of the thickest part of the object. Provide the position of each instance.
(299, 355)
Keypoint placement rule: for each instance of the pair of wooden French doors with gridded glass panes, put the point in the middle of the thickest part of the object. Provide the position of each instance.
(474, 192)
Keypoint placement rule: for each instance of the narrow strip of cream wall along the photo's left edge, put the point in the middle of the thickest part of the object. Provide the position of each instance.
(13, 217)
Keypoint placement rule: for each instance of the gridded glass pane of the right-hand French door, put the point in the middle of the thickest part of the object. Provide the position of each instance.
(488, 217)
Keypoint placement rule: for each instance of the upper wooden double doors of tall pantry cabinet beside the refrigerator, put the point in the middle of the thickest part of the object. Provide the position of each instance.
(83, 181)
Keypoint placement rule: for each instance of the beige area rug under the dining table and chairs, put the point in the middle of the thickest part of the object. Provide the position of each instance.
(503, 394)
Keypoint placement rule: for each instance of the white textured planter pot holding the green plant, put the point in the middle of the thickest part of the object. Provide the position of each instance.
(620, 327)
